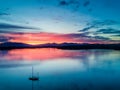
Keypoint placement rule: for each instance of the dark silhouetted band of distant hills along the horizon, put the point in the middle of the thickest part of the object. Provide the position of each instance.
(68, 46)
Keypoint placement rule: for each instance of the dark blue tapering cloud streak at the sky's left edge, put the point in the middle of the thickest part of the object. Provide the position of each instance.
(7, 28)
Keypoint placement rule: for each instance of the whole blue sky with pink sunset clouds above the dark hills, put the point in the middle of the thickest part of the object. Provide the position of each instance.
(59, 21)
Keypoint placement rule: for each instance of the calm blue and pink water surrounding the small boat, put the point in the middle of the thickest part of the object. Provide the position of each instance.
(60, 69)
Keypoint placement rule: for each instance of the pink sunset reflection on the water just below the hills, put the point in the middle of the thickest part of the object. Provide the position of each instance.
(40, 54)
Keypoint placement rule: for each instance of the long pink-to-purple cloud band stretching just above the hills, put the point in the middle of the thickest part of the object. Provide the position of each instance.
(44, 37)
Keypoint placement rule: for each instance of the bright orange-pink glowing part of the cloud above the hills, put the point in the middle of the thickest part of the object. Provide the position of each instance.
(41, 38)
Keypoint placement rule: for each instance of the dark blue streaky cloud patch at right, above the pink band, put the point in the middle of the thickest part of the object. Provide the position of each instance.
(99, 29)
